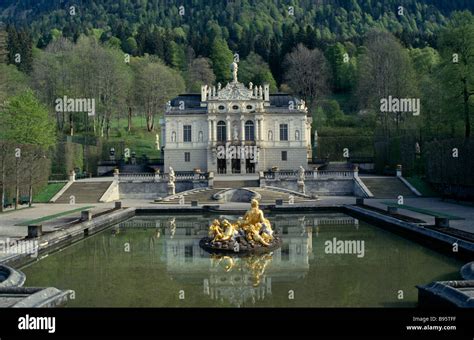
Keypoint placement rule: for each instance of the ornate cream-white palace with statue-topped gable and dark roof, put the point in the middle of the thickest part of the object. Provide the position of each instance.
(236, 130)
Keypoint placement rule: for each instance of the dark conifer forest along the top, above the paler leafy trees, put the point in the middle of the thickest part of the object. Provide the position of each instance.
(267, 27)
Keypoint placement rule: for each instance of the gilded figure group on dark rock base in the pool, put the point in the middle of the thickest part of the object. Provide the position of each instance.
(252, 233)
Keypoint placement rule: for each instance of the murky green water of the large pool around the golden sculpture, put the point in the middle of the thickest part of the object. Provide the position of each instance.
(156, 261)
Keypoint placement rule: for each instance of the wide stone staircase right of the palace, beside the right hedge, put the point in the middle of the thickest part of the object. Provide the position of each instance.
(387, 187)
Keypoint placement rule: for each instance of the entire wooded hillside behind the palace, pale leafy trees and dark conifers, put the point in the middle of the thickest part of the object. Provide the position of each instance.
(343, 57)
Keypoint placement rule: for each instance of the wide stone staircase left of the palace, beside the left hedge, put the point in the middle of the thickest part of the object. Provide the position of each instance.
(84, 192)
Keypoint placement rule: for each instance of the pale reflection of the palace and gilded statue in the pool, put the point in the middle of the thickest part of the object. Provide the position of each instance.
(236, 279)
